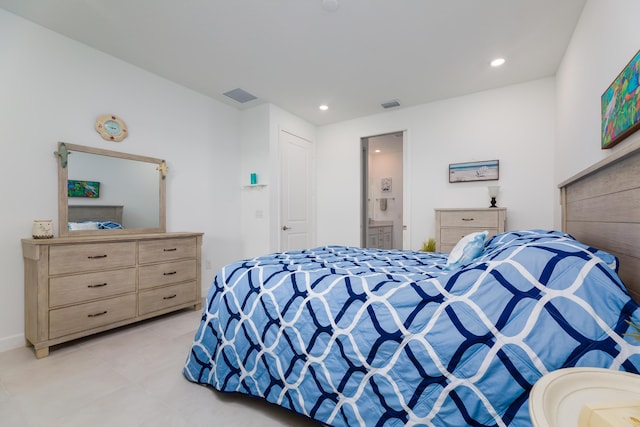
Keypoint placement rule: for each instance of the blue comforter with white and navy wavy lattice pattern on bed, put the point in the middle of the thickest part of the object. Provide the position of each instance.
(352, 336)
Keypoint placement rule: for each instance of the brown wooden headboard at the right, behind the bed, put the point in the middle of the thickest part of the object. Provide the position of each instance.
(601, 207)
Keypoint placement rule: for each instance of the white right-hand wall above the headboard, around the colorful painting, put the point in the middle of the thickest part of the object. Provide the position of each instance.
(605, 40)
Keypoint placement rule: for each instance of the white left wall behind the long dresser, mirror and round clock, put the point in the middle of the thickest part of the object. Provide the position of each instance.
(53, 89)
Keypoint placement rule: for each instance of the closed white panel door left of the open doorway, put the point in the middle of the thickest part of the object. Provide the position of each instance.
(296, 177)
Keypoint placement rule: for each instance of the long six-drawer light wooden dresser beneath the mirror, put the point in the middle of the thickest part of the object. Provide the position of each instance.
(78, 286)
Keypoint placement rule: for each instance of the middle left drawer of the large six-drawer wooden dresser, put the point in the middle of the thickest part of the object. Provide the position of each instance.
(66, 290)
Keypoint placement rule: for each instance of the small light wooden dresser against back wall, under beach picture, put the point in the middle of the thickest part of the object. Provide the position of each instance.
(453, 224)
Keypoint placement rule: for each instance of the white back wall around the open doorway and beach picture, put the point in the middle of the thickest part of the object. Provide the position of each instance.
(514, 125)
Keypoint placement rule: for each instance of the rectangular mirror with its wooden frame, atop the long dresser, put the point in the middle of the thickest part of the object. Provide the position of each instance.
(102, 191)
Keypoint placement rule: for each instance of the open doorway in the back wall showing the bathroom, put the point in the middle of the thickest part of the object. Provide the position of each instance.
(382, 191)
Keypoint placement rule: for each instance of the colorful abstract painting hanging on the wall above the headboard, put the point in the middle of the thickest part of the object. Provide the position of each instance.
(620, 105)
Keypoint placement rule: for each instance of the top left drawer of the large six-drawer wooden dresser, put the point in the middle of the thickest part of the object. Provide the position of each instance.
(91, 257)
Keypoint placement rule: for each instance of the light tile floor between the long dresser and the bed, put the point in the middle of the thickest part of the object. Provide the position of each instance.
(128, 377)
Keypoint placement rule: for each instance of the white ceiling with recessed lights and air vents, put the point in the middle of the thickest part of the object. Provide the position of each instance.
(297, 55)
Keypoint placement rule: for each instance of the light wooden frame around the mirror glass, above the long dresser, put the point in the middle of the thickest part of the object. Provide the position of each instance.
(65, 149)
